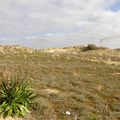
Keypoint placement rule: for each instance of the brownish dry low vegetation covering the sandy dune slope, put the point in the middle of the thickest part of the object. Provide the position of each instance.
(85, 84)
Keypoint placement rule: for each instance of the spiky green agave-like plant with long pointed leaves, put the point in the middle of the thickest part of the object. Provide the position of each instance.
(15, 98)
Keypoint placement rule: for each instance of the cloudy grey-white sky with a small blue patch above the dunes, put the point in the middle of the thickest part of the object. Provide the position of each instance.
(59, 23)
